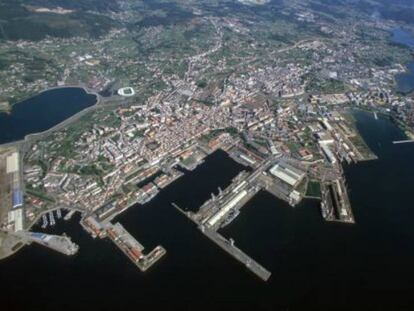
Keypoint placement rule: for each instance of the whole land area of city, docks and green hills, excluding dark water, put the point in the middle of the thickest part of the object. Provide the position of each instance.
(273, 84)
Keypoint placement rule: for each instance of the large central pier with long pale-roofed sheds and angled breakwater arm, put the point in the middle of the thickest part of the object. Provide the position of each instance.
(270, 175)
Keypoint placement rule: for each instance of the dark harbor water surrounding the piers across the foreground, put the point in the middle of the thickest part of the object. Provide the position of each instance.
(314, 264)
